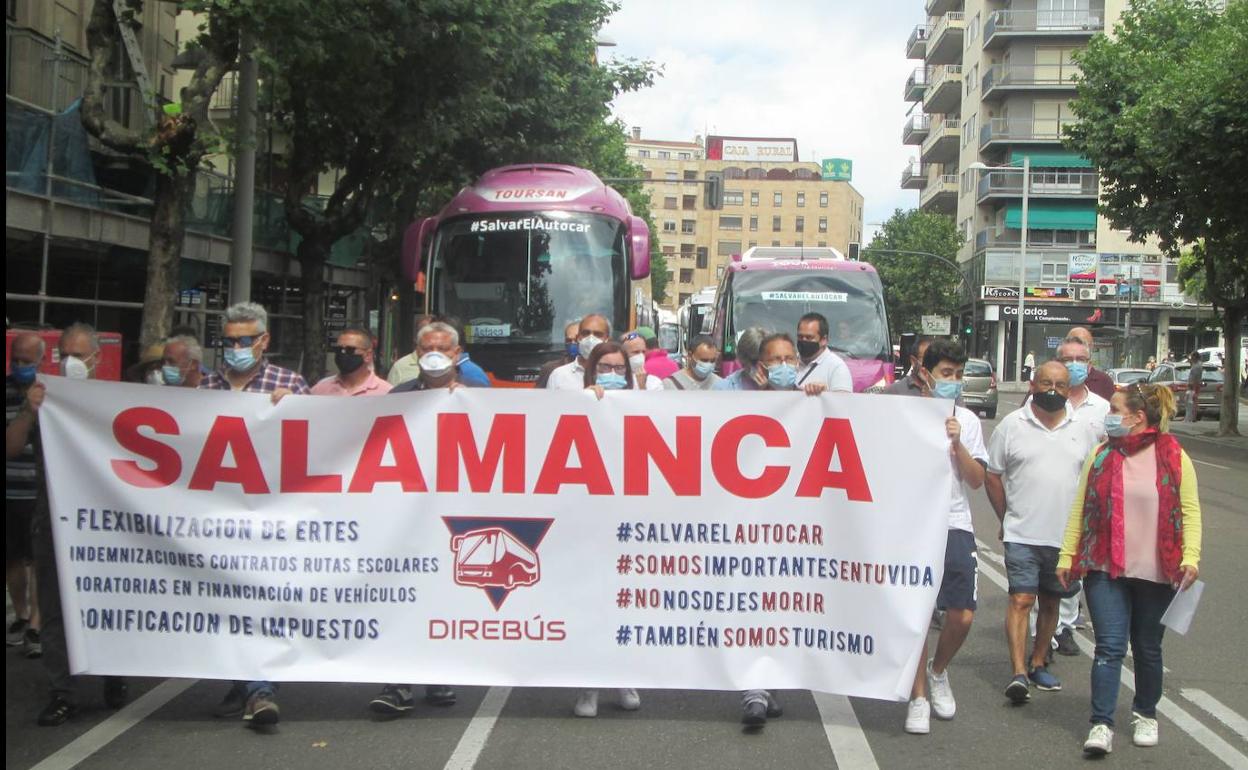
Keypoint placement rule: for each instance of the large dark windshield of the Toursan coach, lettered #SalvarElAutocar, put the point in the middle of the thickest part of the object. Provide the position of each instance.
(521, 278)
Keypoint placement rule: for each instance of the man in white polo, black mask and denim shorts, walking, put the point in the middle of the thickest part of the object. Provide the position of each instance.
(1035, 459)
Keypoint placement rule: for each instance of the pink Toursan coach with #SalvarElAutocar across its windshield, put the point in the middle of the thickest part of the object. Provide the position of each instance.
(524, 253)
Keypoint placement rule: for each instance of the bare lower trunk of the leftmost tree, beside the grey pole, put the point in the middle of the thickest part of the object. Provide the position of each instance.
(168, 233)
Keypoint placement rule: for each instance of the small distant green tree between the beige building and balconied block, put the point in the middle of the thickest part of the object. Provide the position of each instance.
(917, 285)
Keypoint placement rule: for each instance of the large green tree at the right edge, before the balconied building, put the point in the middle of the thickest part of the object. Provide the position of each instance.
(1164, 114)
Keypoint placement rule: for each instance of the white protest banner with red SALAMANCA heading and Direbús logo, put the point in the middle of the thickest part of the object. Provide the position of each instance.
(711, 541)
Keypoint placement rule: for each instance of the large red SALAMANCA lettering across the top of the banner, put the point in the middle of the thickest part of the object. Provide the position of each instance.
(833, 462)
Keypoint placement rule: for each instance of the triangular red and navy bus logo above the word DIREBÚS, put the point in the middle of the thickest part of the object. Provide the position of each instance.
(496, 555)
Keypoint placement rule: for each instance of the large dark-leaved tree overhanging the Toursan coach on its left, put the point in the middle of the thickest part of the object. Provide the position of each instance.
(409, 102)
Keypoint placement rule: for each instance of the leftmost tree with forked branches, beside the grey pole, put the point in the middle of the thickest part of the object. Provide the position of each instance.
(180, 139)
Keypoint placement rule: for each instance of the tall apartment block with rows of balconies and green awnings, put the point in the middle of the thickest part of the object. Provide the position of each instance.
(993, 87)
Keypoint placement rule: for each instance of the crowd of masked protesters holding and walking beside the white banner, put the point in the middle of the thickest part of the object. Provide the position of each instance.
(1091, 491)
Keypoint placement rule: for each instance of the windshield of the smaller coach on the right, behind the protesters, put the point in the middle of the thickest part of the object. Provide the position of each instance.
(853, 304)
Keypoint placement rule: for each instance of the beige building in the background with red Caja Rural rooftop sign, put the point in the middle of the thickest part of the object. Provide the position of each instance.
(767, 203)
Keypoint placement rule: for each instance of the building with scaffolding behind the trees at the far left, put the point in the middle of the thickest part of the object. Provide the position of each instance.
(77, 240)
